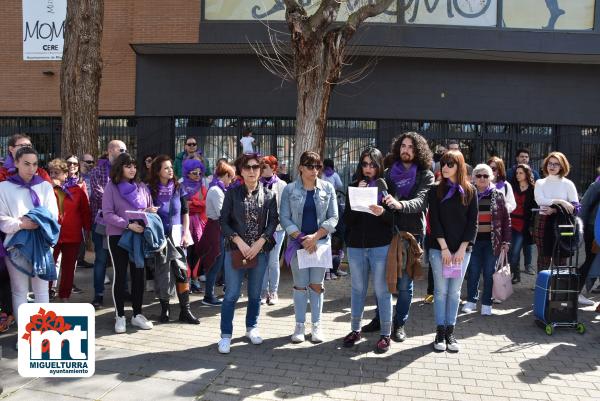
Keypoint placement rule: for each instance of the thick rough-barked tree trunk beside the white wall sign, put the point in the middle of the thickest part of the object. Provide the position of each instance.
(80, 76)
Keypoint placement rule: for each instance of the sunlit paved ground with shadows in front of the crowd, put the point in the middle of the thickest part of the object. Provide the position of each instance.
(503, 357)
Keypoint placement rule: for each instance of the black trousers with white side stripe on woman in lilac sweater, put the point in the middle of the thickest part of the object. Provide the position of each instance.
(120, 260)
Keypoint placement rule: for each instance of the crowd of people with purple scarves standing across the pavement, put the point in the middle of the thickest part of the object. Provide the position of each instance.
(177, 222)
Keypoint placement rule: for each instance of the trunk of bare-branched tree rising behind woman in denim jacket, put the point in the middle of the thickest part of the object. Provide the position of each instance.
(318, 67)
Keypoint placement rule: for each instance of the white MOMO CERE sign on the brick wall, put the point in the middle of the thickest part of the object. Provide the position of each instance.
(43, 29)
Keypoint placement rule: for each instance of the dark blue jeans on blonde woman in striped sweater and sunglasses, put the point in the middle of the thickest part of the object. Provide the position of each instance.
(482, 261)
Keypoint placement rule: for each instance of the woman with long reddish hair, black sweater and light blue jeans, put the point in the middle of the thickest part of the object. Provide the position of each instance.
(453, 223)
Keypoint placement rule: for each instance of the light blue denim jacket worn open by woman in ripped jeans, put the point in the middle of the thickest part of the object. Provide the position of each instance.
(292, 206)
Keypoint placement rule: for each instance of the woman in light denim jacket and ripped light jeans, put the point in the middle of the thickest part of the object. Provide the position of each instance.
(309, 215)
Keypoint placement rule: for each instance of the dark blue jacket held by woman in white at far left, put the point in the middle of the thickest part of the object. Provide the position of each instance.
(30, 250)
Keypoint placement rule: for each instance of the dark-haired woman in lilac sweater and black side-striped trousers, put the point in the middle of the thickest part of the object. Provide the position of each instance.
(125, 193)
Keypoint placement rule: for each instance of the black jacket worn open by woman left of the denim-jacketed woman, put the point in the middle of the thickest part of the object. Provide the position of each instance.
(233, 219)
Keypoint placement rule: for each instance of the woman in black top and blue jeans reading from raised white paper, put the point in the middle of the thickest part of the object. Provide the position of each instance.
(369, 237)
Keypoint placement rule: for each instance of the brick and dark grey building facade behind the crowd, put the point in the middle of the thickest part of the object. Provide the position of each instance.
(495, 74)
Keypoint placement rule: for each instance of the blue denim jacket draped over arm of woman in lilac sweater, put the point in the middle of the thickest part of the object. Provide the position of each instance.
(142, 246)
